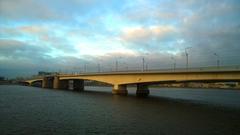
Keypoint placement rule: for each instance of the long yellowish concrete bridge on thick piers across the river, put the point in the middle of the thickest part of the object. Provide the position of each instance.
(120, 80)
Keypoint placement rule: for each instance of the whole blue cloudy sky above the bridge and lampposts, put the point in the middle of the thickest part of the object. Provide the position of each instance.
(68, 35)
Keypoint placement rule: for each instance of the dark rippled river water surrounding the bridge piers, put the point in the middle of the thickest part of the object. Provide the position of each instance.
(36, 111)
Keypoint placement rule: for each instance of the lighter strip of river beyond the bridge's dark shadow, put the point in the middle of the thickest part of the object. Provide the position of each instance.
(217, 97)
